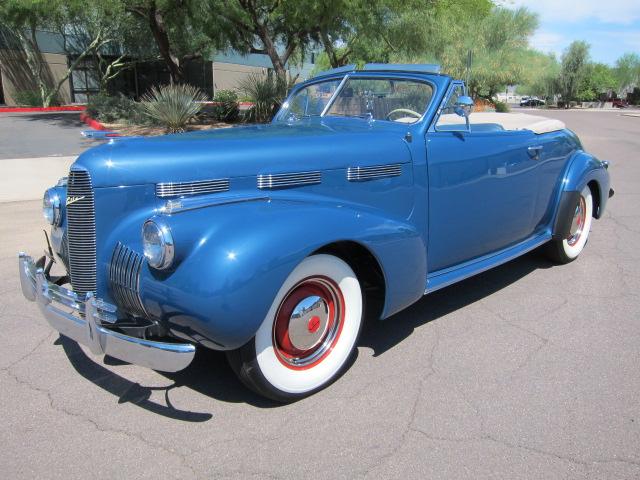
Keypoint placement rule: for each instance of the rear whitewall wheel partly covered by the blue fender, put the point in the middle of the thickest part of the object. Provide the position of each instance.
(567, 249)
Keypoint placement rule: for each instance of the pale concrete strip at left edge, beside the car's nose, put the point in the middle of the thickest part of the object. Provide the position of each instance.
(28, 178)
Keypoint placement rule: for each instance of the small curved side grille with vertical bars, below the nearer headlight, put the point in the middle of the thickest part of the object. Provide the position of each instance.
(124, 276)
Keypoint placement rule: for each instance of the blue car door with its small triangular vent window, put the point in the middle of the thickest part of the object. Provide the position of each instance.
(482, 188)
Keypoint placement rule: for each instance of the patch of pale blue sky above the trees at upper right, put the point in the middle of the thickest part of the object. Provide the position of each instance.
(611, 27)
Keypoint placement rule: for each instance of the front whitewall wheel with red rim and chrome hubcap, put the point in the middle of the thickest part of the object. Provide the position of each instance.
(308, 334)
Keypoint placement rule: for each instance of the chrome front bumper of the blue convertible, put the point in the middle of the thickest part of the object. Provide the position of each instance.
(82, 320)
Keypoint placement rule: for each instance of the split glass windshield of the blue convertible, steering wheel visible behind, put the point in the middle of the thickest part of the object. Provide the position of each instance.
(395, 100)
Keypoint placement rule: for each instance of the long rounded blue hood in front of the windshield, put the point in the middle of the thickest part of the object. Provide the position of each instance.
(309, 145)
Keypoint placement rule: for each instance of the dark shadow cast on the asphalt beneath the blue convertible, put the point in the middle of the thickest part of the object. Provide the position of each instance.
(210, 375)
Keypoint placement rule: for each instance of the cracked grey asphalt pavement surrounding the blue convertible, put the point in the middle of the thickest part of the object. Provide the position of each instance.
(528, 371)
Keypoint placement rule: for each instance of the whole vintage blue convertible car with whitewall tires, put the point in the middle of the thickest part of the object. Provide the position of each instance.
(370, 189)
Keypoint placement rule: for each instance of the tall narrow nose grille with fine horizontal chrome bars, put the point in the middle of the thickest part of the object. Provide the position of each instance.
(81, 228)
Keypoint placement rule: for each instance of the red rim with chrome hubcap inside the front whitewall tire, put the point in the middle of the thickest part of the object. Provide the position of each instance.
(308, 323)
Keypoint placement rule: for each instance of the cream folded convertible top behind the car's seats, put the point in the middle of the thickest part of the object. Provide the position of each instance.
(508, 121)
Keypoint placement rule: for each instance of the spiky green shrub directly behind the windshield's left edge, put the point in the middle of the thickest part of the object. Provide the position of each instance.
(267, 94)
